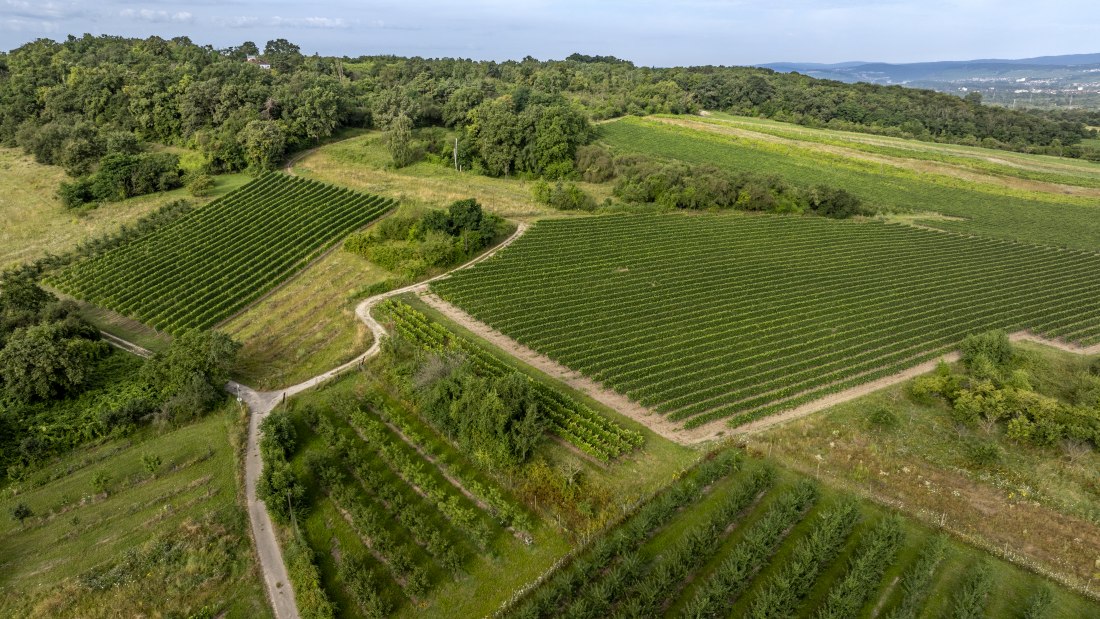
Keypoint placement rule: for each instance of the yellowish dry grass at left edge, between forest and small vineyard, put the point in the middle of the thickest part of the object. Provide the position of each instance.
(35, 223)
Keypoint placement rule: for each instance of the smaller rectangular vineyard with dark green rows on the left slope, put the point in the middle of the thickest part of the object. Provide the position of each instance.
(207, 266)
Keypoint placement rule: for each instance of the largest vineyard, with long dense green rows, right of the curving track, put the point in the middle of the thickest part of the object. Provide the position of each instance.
(739, 317)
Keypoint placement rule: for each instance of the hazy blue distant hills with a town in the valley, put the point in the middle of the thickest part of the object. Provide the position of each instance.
(1044, 82)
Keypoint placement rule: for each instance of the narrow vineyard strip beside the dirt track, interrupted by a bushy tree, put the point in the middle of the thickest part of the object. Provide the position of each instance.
(573, 422)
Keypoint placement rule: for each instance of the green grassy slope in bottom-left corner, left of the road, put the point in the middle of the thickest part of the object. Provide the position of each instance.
(169, 543)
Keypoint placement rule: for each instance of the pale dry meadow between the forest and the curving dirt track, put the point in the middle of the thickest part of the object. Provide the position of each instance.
(364, 163)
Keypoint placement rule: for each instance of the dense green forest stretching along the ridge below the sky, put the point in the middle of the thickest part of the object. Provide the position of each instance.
(94, 105)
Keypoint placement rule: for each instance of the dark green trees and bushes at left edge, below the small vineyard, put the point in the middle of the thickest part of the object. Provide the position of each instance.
(62, 385)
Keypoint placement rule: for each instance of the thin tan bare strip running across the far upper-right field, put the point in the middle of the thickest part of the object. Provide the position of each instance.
(916, 165)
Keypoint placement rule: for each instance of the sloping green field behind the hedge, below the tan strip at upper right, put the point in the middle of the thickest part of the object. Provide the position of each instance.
(1035, 217)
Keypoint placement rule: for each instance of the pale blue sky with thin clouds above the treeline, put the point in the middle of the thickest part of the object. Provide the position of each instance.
(667, 34)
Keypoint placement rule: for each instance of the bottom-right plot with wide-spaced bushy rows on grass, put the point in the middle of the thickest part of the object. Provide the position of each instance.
(734, 538)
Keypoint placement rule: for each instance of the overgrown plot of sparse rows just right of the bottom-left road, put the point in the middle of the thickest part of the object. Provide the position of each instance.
(400, 519)
